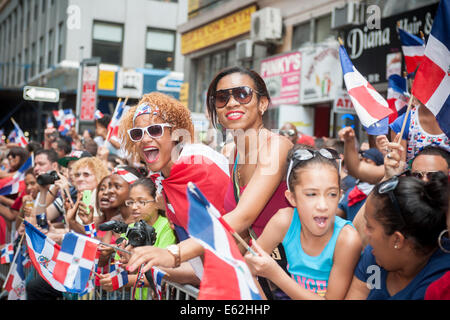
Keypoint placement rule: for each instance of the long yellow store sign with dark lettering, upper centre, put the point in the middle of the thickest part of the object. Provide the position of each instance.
(217, 31)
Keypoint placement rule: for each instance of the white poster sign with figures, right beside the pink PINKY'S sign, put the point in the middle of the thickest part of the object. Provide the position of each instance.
(321, 76)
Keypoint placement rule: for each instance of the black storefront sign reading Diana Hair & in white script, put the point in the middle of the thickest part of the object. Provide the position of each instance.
(373, 51)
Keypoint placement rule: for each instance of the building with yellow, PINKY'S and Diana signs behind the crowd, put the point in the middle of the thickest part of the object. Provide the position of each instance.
(293, 45)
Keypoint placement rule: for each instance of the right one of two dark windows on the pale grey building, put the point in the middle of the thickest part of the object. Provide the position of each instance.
(160, 49)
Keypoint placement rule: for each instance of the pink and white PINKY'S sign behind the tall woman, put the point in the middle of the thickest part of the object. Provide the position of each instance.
(282, 76)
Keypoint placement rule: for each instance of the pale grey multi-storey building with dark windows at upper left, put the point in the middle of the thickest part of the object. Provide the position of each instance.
(43, 41)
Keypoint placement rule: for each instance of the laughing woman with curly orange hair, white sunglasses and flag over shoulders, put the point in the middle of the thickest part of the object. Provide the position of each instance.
(159, 131)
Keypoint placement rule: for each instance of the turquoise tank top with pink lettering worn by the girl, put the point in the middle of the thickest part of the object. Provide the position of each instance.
(310, 272)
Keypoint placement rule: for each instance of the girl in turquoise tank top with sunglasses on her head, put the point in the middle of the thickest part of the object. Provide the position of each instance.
(321, 248)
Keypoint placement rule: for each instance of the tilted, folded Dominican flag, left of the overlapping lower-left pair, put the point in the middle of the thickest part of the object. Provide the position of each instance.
(43, 252)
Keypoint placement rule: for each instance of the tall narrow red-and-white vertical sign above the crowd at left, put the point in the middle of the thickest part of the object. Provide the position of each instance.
(89, 90)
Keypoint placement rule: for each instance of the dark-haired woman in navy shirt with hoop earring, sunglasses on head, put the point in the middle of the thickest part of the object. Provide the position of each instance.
(404, 217)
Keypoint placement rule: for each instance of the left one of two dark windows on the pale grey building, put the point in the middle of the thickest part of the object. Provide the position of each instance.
(107, 42)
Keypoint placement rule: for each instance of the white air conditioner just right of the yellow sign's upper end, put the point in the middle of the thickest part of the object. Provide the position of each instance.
(267, 25)
